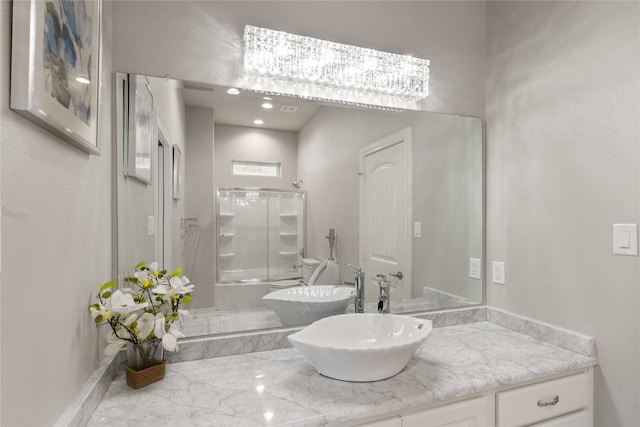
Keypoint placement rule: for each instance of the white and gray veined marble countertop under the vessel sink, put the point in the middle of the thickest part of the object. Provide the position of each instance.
(280, 387)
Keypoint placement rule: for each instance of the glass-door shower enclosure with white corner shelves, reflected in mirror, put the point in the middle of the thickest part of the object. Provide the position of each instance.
(260, 234)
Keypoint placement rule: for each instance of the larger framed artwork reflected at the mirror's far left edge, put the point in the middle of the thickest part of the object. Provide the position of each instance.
(141, 129)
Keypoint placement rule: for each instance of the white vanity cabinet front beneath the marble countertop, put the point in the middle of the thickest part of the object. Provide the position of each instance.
(562, 402)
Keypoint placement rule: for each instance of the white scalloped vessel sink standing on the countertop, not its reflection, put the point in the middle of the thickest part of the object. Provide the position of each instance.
(361, 347)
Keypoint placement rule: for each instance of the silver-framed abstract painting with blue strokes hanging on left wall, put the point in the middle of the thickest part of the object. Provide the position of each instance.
(55, 67)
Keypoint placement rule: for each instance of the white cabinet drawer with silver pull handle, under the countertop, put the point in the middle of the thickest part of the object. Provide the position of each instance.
(538, 402)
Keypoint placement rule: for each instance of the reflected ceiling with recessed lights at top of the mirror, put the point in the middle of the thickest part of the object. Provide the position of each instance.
(244, 108)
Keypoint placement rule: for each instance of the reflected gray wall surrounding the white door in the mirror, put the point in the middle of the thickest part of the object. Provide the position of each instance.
(447, 192)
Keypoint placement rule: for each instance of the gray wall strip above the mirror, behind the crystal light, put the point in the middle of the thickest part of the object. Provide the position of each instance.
(205, 44)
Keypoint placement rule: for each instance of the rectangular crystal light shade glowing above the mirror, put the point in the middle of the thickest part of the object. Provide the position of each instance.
(294, 58)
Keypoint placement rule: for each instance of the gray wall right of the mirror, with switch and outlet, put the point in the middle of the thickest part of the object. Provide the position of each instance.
(563, 136)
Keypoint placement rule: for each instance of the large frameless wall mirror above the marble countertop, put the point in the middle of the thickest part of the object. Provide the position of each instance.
(328, 153)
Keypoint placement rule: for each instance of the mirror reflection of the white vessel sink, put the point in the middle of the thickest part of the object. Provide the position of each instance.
(306, 304)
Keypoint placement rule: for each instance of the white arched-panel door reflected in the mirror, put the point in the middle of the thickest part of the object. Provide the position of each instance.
(385, 207)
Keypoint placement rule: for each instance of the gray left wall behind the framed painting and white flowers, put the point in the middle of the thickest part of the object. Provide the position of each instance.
(56, 250)
